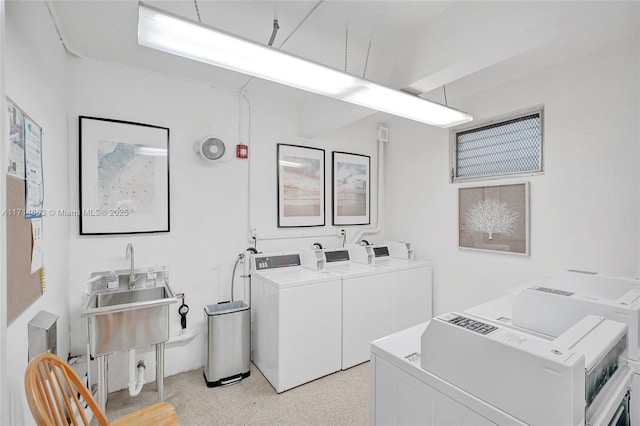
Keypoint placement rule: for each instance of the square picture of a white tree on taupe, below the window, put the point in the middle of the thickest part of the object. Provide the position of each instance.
(494, 218)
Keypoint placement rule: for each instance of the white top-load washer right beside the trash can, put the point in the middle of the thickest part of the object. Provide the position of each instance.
(297, 316)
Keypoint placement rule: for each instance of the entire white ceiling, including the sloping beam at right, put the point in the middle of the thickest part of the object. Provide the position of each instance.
(415, 45)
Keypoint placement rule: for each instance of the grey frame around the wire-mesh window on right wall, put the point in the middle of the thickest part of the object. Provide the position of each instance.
(453, 145)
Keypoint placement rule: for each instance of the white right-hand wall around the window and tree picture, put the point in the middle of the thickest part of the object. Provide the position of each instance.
(584, 209)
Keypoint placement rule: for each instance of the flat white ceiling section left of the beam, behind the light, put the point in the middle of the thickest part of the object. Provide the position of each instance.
(108, 30)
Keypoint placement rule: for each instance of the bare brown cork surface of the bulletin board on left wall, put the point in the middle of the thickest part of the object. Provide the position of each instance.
(23, 287)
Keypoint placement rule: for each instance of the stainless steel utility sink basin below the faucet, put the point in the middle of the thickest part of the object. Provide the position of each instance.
(123, 319)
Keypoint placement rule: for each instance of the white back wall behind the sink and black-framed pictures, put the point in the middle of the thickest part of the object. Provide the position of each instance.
(209, 220)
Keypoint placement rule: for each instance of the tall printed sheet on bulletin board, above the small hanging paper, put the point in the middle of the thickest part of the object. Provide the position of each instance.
(33, 160)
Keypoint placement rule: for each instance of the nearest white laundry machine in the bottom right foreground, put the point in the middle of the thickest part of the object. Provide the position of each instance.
(465, 369)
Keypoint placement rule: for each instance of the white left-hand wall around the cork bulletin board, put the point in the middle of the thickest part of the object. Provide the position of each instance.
(35, 73)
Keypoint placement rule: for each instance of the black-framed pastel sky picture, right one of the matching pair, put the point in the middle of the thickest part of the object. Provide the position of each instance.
(351, 189)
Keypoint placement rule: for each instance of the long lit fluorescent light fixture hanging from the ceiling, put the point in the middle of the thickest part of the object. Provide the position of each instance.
(173, 34)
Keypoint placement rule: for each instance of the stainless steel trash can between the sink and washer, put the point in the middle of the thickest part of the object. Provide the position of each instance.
(228, 342)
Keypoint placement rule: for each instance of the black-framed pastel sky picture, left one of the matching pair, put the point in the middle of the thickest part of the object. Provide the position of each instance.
(301, 186)
